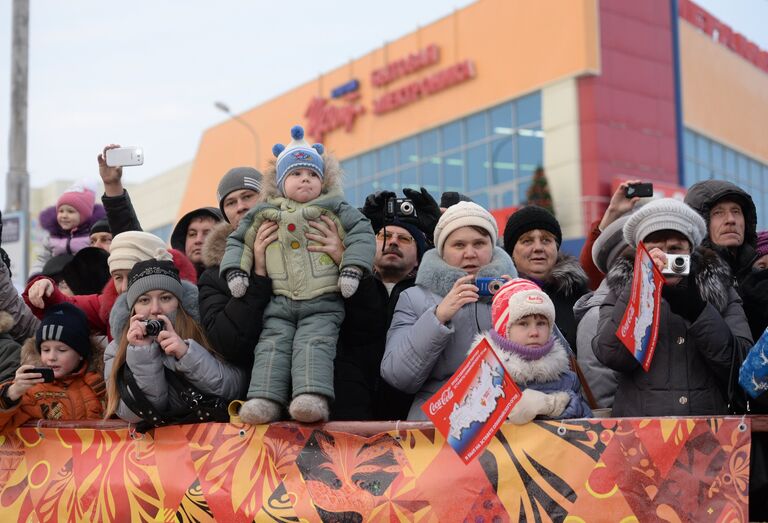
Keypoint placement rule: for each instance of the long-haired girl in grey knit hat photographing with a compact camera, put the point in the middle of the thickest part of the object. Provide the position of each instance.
(159, 367)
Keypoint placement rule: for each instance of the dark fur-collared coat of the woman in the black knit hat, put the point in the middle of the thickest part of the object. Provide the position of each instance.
(566, 284)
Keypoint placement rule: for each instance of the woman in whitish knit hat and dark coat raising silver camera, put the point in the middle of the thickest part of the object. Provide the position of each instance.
(701, 321)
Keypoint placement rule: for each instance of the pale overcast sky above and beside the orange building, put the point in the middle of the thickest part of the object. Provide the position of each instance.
(148, 72)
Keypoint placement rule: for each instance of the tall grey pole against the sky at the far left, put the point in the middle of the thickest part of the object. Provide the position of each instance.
(17, 182)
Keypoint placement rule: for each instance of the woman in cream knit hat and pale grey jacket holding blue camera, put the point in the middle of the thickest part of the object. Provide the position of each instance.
(435, 321)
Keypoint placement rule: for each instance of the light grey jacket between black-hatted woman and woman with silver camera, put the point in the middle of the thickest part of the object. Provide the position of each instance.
(602, 380)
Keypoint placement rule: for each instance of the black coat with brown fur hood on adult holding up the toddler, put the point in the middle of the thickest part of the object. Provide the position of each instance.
(232, 325)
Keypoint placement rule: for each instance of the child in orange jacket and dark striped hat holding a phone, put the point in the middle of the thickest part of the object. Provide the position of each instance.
(55, 380)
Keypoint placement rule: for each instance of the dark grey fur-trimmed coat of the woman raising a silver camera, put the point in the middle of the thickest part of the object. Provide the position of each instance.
(689, 370)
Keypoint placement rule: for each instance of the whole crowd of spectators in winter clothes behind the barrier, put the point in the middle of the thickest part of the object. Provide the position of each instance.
(287, 298)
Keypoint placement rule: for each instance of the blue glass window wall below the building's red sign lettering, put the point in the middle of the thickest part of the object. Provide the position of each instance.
(485, 155)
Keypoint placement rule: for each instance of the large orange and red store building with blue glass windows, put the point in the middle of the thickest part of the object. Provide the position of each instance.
(593, 91)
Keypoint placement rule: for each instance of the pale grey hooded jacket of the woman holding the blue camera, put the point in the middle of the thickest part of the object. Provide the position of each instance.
(421, 353)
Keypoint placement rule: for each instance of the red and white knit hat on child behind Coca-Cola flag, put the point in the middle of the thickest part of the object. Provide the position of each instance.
(516, 299)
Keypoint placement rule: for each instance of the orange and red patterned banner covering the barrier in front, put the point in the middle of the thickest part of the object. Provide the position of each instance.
(668, 469)
